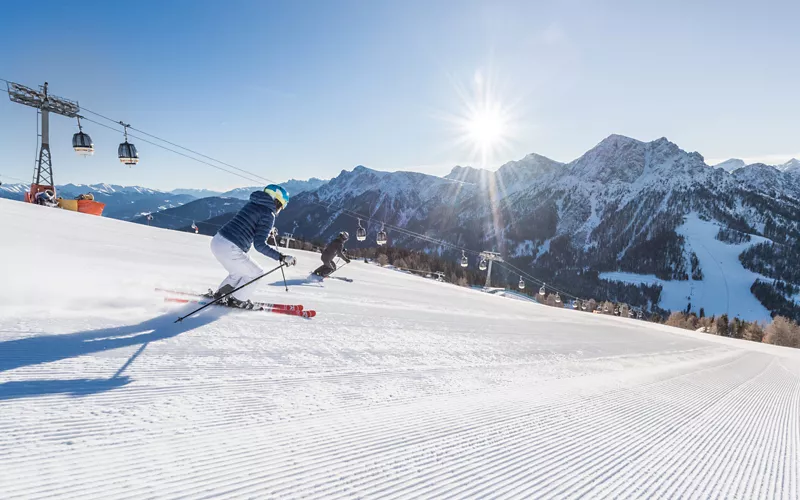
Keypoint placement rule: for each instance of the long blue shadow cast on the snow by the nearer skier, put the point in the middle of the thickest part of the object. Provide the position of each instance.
(36, 350)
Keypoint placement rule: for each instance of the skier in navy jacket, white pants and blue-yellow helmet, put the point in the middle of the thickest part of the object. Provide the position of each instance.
(249, 227)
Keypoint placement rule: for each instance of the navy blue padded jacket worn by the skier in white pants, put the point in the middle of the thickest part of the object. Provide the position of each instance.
(251, 226)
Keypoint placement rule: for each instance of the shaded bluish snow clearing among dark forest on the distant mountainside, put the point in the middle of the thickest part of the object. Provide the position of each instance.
(725, 287)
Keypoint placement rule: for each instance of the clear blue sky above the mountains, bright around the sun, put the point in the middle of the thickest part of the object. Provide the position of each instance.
(300, 89)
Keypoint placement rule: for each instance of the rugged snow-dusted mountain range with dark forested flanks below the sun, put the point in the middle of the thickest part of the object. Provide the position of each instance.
(620, 207)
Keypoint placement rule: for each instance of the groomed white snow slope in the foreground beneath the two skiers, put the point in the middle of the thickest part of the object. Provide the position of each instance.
(400, 388)
